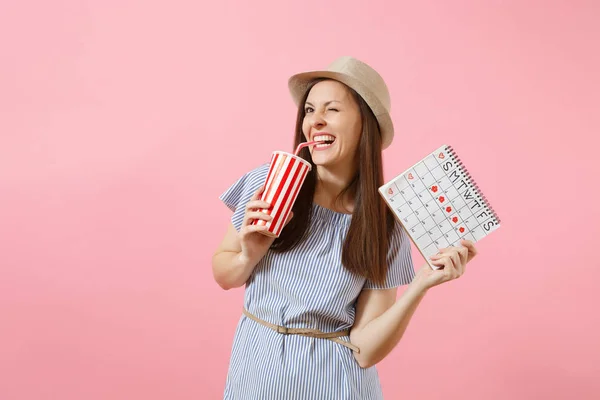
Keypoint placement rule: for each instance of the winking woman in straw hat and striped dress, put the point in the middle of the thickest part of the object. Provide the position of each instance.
(320, 307)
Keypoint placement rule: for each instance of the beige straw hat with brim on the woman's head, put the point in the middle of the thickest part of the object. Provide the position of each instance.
(360, 77)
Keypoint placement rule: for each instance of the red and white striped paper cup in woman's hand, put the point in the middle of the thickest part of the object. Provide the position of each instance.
(286, 175)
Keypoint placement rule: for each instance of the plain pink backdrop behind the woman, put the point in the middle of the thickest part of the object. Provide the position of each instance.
(117, 120)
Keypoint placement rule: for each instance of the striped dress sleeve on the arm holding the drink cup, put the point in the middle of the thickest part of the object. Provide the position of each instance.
(238, 194)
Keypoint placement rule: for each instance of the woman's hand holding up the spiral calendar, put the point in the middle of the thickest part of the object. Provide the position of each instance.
(453, 262)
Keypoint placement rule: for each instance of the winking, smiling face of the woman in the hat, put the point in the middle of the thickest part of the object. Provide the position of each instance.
(332, 114)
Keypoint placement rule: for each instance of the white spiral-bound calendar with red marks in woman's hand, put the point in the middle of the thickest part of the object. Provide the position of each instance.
(438, 203)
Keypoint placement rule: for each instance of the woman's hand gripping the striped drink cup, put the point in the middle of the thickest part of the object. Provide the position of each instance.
(254, 244)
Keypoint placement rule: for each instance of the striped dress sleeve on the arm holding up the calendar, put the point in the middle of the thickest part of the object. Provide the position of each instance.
(399, 259)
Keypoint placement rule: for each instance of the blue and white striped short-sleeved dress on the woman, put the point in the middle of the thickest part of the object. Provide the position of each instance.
(306, 287)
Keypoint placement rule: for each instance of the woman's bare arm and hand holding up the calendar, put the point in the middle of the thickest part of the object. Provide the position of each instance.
(381, 320)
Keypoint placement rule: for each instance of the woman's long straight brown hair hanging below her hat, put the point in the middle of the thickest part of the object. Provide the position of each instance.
(366, 245)
